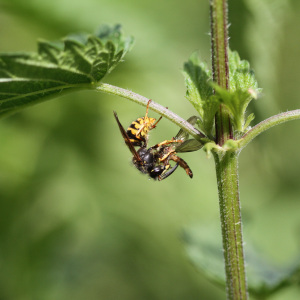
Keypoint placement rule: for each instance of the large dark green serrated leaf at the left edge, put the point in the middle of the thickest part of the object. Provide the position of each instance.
(77, 61)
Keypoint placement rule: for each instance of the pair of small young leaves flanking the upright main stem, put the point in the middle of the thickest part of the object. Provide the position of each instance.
(243, 88)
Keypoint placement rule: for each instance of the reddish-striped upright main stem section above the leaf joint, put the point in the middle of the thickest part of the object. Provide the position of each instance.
(219, 50)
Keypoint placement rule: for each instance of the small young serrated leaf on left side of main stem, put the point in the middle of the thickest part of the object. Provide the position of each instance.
(200, 92)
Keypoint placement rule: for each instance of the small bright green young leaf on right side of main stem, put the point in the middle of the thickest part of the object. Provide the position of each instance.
(243, 89)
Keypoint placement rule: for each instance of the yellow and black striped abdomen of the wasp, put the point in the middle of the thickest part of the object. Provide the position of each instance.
(138, 131)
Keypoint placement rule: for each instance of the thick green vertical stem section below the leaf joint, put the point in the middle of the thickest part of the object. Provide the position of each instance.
(230, 213)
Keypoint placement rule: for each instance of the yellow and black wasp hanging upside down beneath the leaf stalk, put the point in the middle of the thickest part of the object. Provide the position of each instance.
(155, 161)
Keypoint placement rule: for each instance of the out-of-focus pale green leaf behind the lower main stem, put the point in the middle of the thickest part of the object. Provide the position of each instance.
(204, 247)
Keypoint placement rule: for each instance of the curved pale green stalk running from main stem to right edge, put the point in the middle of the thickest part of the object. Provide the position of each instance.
(266, 124)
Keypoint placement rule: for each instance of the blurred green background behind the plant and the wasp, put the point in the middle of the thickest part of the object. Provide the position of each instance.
(77, 221)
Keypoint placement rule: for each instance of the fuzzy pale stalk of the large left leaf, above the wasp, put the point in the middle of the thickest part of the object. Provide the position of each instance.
(164, 111)
